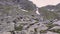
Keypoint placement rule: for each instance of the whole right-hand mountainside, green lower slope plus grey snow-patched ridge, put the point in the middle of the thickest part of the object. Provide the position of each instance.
(50, 12)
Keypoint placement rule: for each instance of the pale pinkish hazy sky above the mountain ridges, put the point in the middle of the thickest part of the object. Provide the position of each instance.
(41, 3)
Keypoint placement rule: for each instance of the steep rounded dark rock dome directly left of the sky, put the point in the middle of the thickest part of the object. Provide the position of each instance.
(27, 5)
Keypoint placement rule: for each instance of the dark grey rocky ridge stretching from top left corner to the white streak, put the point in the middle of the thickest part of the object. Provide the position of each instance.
(24, 4)
